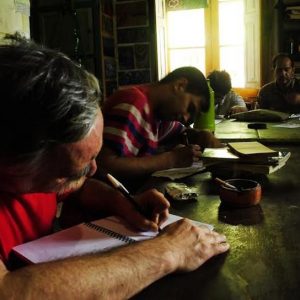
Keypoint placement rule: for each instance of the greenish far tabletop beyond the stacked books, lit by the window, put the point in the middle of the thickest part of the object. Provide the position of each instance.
(232, 130)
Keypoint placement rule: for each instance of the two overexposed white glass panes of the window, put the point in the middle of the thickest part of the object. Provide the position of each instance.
(186, 39)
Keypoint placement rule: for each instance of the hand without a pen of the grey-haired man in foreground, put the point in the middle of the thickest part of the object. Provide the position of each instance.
(191, 246)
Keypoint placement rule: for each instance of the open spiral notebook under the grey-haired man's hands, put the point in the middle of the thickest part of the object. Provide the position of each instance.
(86, 238)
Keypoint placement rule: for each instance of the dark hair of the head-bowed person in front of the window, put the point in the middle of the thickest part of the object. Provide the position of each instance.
(220, 82)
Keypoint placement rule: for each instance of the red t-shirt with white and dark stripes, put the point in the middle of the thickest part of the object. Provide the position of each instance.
(130, 126)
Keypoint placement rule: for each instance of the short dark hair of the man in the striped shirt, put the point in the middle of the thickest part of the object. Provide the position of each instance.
(197, 84)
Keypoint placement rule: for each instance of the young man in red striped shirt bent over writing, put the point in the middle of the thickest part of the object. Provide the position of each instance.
(139, 120)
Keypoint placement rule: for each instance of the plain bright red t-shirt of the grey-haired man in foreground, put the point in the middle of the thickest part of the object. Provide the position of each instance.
(24, 218)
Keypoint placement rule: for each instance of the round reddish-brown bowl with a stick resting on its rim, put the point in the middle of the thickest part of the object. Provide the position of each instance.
(247, 193)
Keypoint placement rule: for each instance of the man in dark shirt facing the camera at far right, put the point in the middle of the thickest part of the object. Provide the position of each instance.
(282, 94)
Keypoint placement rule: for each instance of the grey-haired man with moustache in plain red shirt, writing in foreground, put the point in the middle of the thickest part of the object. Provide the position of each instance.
(51, 132)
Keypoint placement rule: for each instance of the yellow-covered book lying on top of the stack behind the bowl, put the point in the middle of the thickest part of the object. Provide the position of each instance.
(251, 149)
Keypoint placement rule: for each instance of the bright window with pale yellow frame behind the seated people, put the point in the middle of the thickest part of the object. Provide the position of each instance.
(224, 36)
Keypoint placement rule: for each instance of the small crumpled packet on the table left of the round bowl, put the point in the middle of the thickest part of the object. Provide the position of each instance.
(181, 192)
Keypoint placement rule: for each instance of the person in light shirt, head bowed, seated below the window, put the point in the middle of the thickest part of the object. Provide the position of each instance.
(227, 102)
